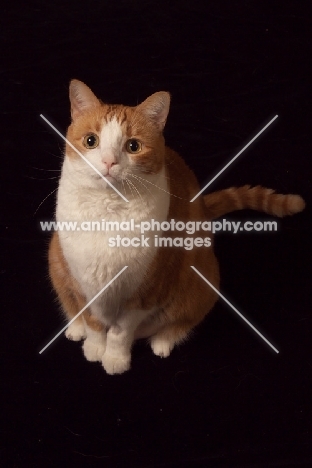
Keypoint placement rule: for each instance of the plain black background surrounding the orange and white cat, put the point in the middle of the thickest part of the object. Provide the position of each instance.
(224, 399)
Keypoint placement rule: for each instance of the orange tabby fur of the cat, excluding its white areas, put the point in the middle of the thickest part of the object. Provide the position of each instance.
(183, 299)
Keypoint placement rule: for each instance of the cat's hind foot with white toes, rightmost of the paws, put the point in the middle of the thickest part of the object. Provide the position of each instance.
(163, 342)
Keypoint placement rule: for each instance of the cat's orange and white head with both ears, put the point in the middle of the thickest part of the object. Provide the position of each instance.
(117, 140)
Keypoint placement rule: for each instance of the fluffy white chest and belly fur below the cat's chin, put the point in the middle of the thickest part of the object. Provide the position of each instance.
(90, 258)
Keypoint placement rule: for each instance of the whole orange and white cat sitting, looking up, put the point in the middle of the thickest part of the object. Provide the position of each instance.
(158, 296)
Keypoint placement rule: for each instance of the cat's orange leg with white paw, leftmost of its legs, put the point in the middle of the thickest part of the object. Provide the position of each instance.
(67, 290)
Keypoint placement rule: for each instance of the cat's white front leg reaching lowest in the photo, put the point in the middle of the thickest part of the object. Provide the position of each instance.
(120, 337)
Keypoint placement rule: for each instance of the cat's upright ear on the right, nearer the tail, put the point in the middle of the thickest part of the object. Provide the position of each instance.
(156, 107)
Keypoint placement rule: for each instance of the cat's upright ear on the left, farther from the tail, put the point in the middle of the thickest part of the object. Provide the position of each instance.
(81, 98)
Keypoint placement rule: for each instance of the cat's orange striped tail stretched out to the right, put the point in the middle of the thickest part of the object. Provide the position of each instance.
(255, 198)
